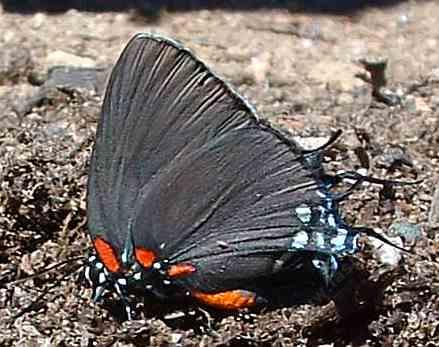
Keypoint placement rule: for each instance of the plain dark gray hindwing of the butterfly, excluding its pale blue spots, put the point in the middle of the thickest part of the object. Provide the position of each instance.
(228, 208)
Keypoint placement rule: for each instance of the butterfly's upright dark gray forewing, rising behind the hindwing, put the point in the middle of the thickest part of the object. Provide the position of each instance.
(161, 104)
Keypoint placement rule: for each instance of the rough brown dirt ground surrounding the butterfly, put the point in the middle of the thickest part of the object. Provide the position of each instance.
(301, 69)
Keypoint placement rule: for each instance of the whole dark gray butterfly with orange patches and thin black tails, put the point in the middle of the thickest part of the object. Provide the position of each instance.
(192, 197)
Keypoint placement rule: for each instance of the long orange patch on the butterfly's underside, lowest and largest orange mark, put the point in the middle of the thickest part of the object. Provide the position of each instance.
(230, 300)
